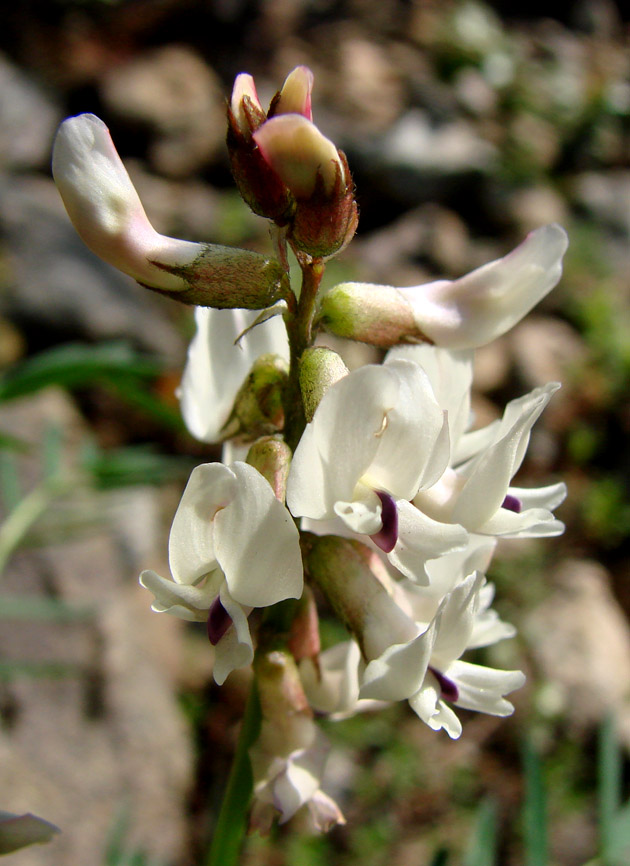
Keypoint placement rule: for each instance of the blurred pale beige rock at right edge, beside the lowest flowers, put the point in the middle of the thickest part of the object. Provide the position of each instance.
(580, 639)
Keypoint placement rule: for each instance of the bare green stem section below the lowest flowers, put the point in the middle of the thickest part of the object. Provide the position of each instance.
(231, 825)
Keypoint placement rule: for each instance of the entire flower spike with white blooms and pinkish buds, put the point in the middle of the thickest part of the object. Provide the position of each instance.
(370, 485)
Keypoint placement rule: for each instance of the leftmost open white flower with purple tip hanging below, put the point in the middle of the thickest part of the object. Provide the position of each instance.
(233, 546)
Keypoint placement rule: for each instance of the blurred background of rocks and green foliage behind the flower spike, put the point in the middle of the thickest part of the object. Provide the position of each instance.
(466, 125)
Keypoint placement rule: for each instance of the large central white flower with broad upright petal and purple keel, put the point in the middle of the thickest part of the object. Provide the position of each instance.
(377, 437)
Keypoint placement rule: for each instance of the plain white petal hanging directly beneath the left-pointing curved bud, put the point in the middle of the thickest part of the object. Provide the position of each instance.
(218, 363)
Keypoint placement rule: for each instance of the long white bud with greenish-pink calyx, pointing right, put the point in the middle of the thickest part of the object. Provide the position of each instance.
(458, 314)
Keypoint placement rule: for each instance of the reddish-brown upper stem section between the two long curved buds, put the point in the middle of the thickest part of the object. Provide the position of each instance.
(300, 333)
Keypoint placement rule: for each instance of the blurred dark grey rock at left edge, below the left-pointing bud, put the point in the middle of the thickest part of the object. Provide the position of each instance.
(59, 290)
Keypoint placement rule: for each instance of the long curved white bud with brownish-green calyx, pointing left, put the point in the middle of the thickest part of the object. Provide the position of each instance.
(107, 213)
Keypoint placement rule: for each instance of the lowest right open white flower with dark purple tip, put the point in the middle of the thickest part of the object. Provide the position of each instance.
(427, 671)
